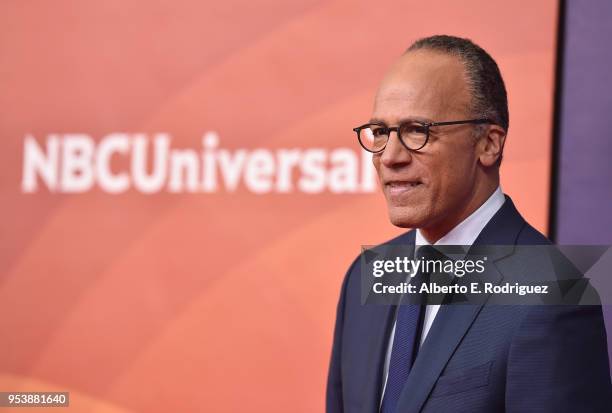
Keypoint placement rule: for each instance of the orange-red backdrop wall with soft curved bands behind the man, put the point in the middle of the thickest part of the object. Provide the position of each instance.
(224, 301)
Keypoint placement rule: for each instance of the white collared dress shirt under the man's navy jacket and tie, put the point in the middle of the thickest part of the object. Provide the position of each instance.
(465, 233)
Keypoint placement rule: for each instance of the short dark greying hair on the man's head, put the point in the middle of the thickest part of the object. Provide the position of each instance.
(489, 98)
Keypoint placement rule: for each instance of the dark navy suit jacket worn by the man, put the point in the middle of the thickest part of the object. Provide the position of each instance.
(476, 358)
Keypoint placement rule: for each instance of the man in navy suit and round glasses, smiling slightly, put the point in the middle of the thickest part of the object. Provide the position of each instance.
(437, 135)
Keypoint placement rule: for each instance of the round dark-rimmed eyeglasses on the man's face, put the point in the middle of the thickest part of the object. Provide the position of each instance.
(413, 134)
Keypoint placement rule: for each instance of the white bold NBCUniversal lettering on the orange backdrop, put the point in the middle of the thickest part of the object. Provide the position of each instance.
(119, 162)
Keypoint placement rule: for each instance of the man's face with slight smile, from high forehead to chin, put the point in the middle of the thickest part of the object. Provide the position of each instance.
(433, 186)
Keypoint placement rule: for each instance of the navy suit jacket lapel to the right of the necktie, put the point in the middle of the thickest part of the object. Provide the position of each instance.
(453, 321)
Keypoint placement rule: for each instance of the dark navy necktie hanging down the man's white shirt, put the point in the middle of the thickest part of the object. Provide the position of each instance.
(408, 326)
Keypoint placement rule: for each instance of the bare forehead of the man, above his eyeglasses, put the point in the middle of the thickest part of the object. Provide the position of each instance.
(423, 85)
